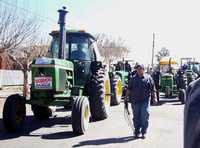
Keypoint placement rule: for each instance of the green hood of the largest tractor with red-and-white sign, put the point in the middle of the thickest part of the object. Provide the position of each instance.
(51, 74)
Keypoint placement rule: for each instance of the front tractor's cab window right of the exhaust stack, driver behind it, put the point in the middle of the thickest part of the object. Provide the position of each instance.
(80, 48)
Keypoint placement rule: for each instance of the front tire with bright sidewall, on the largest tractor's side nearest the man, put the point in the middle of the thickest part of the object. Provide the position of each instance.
(80, 115)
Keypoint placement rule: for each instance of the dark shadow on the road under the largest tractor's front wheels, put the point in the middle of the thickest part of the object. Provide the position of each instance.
(32, 124)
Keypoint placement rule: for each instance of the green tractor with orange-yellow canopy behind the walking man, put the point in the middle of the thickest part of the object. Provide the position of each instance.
(173, 82)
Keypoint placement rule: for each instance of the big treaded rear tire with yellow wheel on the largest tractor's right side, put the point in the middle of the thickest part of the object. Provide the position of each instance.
(99, 95)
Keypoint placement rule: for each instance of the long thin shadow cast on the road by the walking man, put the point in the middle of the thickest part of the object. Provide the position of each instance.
(105, 141)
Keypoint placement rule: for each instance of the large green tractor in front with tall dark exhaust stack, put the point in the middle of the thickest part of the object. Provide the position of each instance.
(73, 76)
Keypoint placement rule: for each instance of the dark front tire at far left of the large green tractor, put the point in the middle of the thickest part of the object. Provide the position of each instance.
(14, 113)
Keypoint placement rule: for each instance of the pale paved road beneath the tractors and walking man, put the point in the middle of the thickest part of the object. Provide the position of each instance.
(165, 130)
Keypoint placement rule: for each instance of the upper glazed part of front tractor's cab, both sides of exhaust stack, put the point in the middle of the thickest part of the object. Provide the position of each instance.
(79, 46)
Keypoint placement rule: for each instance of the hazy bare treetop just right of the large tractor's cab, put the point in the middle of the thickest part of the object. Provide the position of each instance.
(111, 49)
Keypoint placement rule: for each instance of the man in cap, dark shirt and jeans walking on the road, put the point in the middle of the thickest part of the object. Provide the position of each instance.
(140, 89)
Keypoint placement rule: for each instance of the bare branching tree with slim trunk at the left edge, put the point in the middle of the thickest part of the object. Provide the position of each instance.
(18, 40)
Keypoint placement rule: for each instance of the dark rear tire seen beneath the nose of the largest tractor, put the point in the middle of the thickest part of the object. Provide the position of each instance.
(41, 112)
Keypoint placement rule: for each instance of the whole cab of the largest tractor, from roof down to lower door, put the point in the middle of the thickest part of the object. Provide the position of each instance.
(81, 49)
